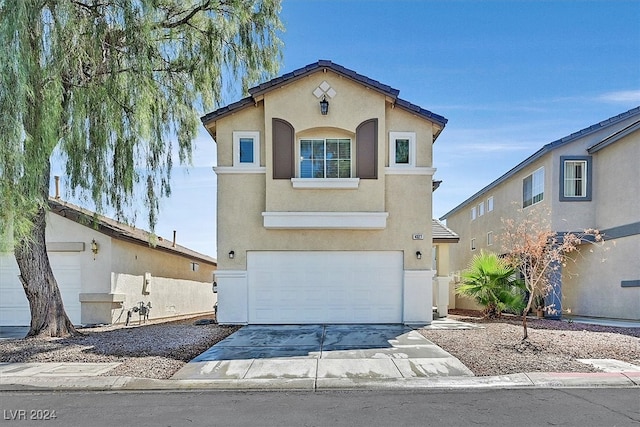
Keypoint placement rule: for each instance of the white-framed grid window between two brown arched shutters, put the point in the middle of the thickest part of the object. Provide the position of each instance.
(325, 158)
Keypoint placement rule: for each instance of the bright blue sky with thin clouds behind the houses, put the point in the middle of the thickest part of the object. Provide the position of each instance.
(510, 76)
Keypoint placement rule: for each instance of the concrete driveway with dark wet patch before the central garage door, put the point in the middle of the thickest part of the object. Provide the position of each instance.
(323, 353)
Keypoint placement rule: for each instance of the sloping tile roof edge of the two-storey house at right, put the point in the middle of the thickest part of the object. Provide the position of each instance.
(546, 149)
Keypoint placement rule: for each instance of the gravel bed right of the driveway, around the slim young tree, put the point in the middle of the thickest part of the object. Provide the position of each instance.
(553, 346)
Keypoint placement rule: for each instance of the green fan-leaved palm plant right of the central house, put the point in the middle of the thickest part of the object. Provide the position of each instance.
(492, 283)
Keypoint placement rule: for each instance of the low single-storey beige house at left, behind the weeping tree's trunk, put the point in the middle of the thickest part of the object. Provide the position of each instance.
(105, 268)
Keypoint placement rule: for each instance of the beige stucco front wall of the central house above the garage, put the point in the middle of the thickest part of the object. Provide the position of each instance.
(242, 198)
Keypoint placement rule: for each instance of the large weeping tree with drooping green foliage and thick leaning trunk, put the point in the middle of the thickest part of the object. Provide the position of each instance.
(115, 87)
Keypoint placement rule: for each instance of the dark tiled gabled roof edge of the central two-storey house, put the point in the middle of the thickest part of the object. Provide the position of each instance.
(311, 68)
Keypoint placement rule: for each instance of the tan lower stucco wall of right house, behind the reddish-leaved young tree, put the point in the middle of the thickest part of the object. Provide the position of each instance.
(592, 286)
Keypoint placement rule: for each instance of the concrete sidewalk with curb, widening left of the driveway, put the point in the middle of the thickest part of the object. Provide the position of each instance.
(88, 377)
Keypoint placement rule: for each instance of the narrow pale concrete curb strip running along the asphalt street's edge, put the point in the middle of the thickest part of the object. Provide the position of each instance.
(538, 380)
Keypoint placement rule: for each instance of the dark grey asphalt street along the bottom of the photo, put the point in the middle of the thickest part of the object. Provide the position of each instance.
(522, 407)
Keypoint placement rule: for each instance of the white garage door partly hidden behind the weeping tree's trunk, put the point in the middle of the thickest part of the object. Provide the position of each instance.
(14, 307)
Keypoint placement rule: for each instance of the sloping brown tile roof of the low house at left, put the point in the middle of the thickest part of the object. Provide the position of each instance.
(120, 231)
